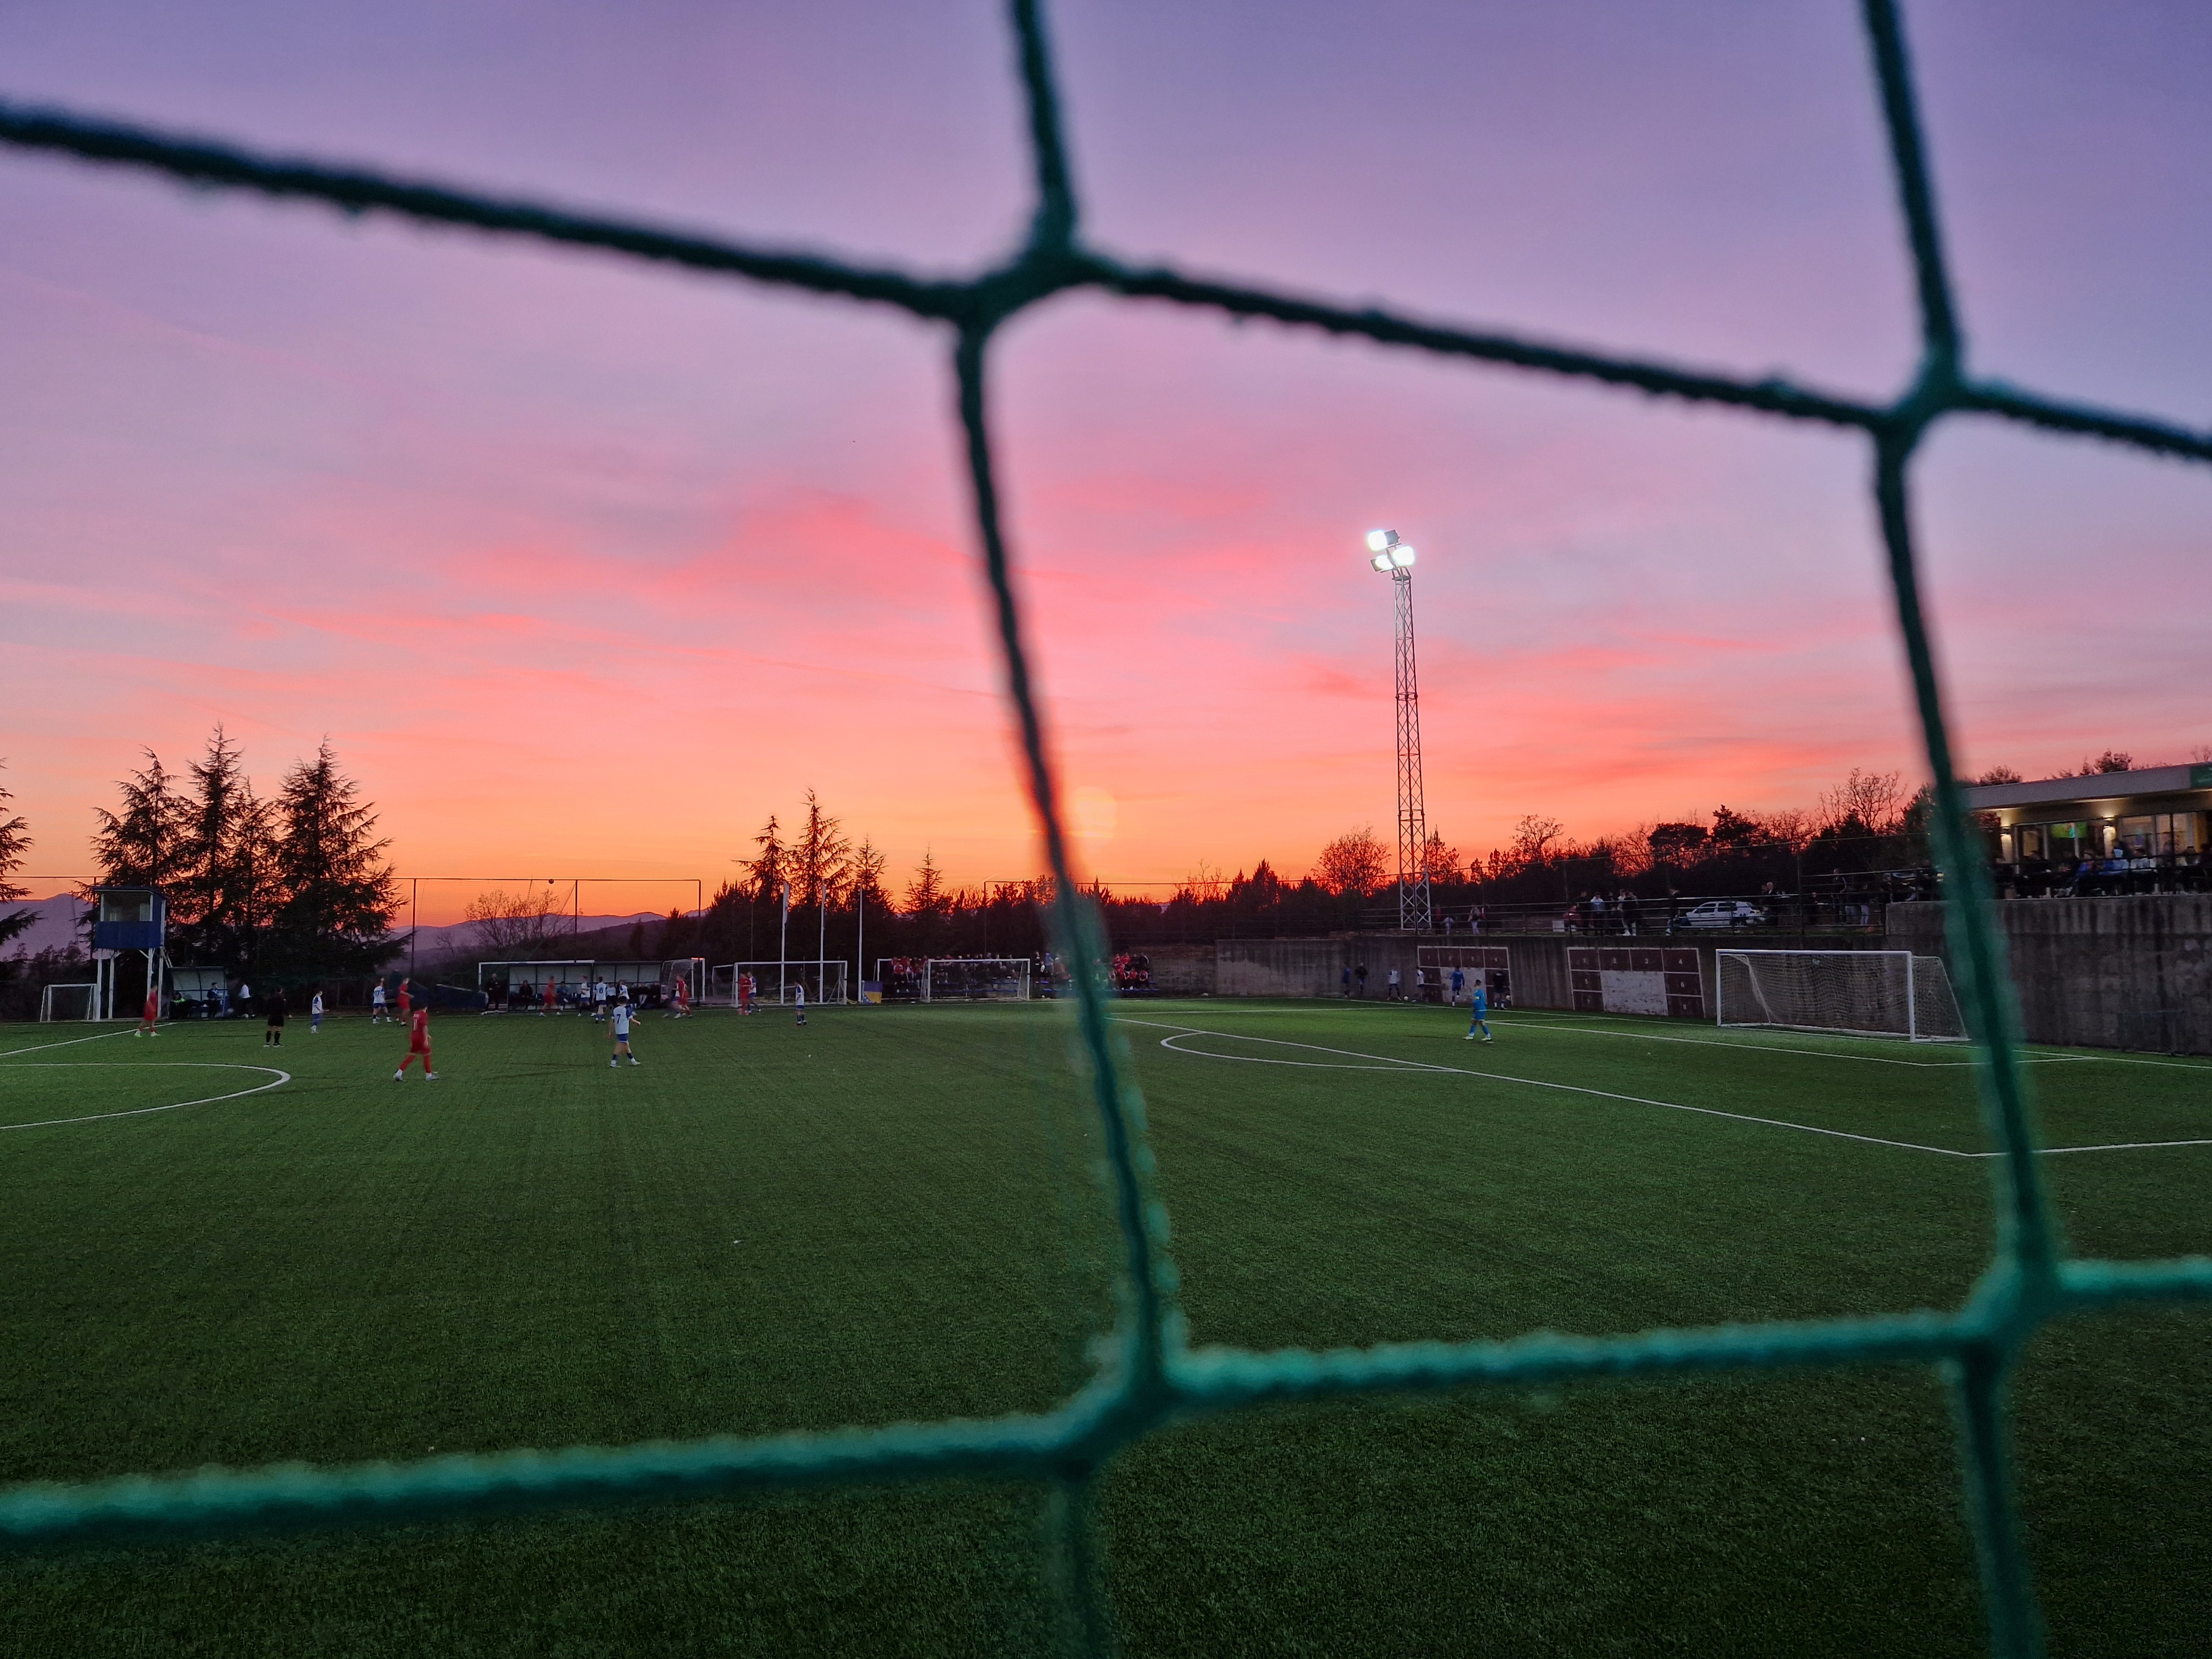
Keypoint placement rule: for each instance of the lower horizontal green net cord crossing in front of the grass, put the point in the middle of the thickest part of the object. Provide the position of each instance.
(1081, 1434)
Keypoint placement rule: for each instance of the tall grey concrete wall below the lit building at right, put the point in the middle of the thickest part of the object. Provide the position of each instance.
(2098, 972)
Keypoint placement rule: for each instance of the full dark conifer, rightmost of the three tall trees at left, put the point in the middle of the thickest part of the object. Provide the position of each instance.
(333, 893)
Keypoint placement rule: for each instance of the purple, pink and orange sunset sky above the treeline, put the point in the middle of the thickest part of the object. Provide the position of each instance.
(587, 570)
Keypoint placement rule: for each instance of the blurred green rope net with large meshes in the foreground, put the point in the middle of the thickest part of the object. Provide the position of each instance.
(1154, 1377)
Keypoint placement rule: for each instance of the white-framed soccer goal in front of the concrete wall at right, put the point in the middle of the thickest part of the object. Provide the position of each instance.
(1861, 994)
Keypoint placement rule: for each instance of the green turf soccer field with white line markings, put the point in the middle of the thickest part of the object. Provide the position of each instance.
(893, 1213)
